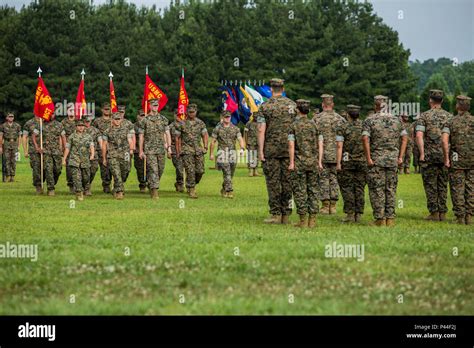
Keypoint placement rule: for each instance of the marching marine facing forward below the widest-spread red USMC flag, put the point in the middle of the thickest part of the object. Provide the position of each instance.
(155, 142)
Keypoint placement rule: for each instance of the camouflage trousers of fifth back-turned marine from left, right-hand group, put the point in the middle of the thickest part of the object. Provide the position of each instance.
(382, 182)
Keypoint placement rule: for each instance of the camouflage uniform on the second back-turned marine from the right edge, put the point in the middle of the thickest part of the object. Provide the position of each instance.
(433, 171)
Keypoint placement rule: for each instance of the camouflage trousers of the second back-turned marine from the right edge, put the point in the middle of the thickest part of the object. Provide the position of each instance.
(435, 182)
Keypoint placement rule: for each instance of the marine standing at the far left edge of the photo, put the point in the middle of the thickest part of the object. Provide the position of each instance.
(10, 137)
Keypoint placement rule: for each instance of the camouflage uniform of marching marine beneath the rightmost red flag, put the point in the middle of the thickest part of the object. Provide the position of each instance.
(192, 153)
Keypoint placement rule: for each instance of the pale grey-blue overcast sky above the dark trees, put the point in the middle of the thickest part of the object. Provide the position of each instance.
(429, 28)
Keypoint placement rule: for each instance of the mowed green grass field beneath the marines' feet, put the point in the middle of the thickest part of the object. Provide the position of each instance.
(183, 249)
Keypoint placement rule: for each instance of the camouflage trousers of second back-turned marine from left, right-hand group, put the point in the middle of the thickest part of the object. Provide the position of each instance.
(305, 191)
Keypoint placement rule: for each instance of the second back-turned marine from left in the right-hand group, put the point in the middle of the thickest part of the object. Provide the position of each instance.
(305, 147)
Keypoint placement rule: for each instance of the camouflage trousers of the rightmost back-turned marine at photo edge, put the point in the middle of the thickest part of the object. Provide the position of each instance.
(461, 182)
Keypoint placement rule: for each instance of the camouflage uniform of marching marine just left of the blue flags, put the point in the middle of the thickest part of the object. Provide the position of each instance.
(226, 153)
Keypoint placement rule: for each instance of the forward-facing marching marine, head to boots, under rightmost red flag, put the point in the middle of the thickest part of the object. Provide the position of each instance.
(189, 135)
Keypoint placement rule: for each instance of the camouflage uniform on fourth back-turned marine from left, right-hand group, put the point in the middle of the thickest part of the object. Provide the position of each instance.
(353, 175)
